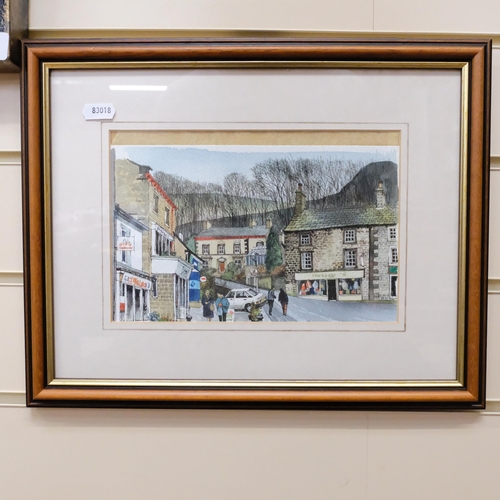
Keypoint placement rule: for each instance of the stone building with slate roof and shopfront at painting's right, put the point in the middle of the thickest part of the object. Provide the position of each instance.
(345, 253)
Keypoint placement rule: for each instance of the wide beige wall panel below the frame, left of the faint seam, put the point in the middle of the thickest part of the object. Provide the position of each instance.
(105, 455)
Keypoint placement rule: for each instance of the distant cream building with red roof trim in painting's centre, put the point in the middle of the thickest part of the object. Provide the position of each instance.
(218, 246)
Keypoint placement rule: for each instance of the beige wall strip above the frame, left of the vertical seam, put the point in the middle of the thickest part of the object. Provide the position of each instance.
(203, 14)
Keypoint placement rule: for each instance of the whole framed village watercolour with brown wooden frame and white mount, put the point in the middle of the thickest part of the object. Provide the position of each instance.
(256, 223)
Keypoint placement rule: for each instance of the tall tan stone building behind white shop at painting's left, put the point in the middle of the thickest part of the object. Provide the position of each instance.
(138, 193)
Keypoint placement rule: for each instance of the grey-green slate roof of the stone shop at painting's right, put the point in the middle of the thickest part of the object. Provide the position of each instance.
(344, 217)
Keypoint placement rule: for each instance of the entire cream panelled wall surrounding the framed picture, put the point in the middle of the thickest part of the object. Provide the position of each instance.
(77, 454)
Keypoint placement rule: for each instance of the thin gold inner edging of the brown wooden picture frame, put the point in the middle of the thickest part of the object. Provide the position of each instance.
(48, 67)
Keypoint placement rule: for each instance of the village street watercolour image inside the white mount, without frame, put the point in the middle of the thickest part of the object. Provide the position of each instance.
(246, 233)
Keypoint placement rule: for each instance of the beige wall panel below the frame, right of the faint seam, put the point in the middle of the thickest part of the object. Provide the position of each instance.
(433, 456)
